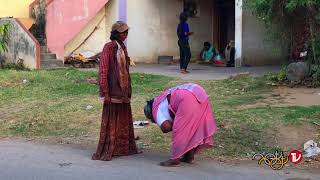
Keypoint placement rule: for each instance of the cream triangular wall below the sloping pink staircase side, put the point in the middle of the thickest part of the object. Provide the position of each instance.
(102, 22)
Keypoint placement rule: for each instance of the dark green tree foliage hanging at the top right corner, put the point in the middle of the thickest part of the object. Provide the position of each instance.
(297, 21)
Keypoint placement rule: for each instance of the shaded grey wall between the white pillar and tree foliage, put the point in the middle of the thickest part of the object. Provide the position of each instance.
(257, 48)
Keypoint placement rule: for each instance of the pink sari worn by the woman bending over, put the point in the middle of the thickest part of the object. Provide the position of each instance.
(194, 123)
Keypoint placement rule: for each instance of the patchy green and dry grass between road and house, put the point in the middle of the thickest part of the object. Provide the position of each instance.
(53, 103)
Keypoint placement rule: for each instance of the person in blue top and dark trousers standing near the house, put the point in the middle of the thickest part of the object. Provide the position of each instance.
(183, 42)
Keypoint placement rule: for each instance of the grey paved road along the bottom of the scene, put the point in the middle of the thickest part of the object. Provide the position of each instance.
(30, 161)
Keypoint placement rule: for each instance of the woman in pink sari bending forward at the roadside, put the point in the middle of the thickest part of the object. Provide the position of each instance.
(185, 110)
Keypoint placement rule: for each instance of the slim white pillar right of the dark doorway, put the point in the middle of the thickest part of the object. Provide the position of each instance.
(238, 33)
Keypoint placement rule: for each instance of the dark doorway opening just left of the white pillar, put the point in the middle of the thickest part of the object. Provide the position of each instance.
(223, 23)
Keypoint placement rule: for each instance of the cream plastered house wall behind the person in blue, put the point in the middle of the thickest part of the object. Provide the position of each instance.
(153, 28)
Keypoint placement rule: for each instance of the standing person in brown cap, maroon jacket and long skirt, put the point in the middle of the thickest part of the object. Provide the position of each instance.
(116, 134)
